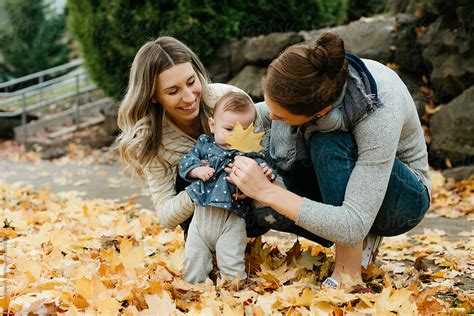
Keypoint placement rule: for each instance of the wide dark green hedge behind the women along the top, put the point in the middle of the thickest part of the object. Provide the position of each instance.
(110, 32)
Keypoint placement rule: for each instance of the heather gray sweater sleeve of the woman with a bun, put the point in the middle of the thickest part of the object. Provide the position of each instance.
(377, 138)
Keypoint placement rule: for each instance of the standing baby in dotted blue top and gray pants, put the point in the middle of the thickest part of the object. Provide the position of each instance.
(218, 224)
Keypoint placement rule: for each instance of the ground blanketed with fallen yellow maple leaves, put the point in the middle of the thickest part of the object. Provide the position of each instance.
(62, 254)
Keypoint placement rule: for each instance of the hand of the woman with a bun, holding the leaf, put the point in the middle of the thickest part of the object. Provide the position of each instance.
(249, 177)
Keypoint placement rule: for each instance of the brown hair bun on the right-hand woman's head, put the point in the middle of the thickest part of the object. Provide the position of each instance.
(328, 54)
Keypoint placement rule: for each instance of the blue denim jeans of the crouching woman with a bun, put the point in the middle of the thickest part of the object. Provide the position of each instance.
(325, 176)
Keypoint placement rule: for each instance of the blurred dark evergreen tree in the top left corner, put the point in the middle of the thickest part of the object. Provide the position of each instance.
(33, 39)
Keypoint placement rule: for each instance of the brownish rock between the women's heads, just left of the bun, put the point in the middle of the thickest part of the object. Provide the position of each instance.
(261, 50)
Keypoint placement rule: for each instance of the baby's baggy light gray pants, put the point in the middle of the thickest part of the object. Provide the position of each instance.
(215, 230)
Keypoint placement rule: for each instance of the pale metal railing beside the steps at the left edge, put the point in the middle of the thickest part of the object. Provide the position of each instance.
(21, 102)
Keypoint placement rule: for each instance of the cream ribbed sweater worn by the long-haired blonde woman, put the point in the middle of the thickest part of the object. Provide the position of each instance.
(174, 208)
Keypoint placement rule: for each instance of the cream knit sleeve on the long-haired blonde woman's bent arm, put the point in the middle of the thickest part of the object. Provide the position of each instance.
(172, 209)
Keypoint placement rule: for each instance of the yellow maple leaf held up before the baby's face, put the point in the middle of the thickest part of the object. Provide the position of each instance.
(245, 140)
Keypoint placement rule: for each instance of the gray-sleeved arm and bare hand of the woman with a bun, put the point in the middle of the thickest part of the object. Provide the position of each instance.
(377, 138)
